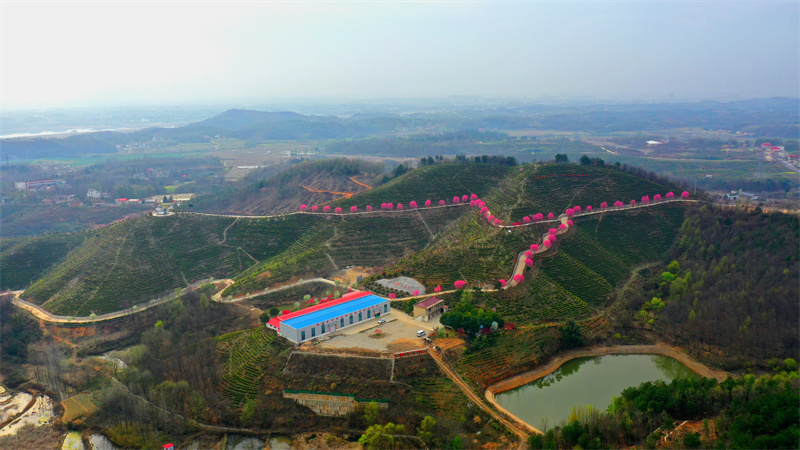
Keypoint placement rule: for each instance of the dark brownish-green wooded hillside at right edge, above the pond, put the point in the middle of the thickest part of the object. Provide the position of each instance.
(733, 286)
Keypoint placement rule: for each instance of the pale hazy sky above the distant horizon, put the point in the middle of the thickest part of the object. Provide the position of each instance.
(76, 54)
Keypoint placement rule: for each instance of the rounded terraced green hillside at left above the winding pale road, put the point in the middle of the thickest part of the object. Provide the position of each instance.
(141, 259)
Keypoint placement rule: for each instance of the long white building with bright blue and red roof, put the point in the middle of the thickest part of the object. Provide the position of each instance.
(325, 318)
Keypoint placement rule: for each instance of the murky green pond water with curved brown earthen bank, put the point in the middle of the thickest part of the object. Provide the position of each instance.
(548, 401)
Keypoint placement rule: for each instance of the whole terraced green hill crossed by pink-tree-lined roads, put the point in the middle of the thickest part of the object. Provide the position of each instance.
(145, 258)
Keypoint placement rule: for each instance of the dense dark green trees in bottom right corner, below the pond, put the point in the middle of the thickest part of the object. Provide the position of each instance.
(738, 413)
